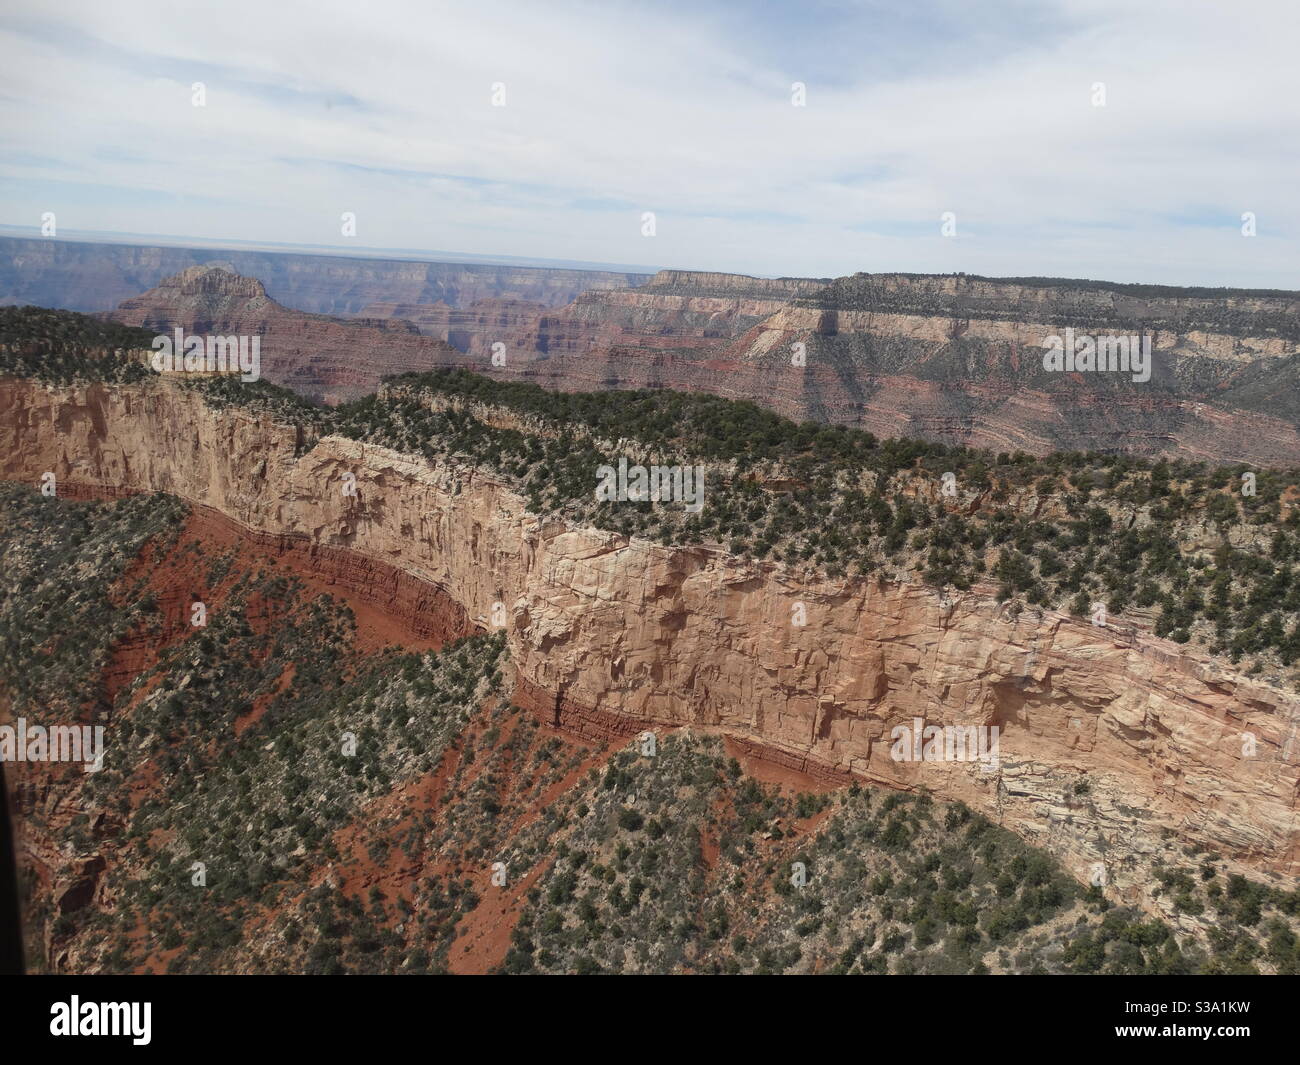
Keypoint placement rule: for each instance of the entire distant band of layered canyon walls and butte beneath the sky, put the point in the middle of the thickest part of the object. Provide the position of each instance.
(950, 358)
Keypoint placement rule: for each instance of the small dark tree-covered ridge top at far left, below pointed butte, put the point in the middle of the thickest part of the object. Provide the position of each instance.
(66, 347)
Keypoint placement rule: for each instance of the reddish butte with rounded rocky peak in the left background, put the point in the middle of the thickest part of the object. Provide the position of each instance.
(326, 360)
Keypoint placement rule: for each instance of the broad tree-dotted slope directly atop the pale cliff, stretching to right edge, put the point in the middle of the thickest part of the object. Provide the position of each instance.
(1184, 548)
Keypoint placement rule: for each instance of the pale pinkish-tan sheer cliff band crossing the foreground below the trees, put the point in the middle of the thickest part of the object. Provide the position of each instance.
(614, 637)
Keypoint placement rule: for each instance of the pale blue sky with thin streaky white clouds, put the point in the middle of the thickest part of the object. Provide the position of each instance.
(552, 129)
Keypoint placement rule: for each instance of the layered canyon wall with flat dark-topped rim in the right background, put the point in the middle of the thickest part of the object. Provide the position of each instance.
(951, 360)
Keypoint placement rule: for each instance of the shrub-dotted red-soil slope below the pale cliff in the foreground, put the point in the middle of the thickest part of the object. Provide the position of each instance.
(349, 811)
